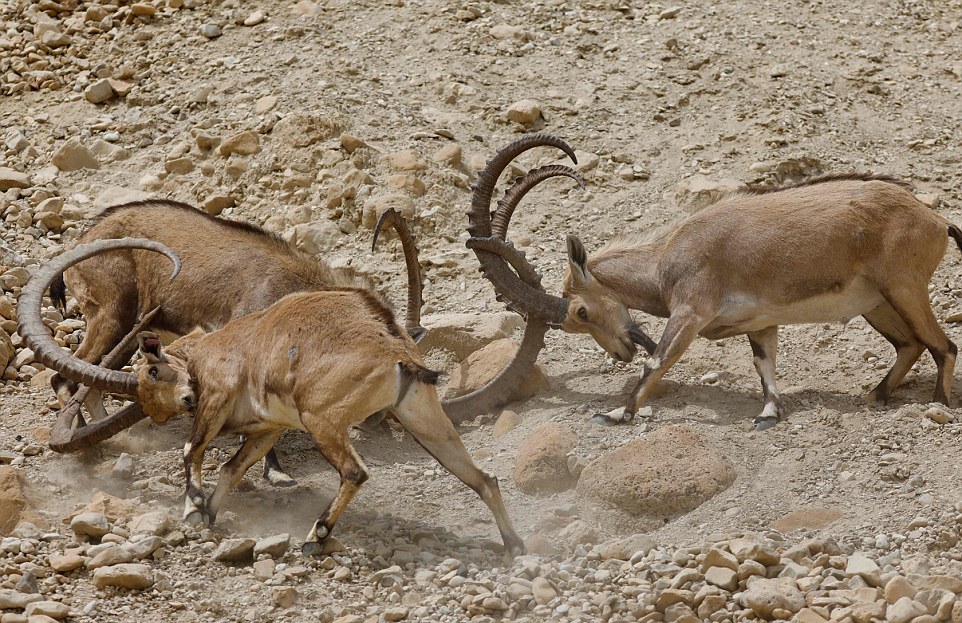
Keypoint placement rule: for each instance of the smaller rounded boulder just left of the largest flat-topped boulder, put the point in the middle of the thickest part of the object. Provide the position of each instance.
(542, 463)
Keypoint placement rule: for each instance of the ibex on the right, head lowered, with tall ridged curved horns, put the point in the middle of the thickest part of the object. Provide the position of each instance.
(825, 250)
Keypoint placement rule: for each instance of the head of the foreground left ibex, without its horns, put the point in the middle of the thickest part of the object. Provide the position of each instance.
(164, 388)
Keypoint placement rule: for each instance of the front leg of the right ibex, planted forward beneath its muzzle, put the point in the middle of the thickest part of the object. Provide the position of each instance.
(682, 328)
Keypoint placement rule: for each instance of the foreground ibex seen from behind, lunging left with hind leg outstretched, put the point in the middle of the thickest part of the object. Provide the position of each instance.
(319, 362)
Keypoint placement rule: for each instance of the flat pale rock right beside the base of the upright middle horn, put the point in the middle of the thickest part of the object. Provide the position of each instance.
(463, 334)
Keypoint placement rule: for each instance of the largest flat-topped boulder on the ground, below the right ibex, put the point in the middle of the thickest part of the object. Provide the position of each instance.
(653, 479)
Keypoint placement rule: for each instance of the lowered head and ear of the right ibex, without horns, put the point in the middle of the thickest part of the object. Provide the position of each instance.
(594, 308)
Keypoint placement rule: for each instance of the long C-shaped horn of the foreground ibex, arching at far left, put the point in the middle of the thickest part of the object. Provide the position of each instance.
(36, 336)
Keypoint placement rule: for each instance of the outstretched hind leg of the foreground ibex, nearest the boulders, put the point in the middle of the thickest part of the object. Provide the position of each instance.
(421, 415)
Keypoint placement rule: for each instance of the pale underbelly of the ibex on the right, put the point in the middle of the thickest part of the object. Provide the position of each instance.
(746, 312)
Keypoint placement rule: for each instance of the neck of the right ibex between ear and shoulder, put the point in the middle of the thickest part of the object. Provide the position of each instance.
(632, 272)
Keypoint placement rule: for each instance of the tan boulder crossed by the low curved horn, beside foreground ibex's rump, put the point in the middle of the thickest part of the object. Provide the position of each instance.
(483, 365)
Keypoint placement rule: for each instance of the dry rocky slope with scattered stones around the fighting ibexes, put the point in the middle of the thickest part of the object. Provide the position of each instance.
(310, 117)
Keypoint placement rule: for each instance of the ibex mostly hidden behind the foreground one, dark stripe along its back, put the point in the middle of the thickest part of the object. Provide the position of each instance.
(230, 269)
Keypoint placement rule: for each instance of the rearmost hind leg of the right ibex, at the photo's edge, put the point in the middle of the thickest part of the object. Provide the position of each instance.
(913, 306)
